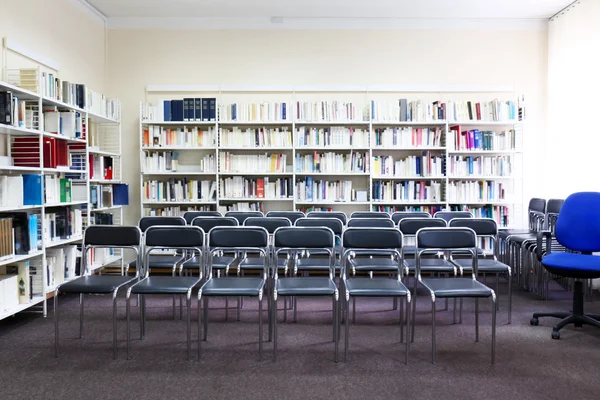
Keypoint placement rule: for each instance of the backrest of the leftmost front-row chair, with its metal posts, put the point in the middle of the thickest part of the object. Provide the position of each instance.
(116, 236)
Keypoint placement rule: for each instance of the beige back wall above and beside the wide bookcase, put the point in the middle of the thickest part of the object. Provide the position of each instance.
(142, 57)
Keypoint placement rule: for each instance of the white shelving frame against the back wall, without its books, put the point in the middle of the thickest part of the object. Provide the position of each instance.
(360, 180)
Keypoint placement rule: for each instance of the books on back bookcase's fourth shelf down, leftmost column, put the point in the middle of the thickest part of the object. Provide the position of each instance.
(179, 190)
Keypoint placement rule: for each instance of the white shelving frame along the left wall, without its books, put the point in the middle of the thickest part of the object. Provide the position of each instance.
(107, 128)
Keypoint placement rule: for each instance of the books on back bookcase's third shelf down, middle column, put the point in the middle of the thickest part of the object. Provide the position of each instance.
(333, 162)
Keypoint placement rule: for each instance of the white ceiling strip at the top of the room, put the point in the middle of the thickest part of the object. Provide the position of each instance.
(419, 9)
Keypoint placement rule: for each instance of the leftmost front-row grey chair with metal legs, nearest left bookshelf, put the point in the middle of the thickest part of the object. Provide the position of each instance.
(100, 236)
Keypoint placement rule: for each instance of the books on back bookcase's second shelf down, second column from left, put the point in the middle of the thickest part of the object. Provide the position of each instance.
(256, 137)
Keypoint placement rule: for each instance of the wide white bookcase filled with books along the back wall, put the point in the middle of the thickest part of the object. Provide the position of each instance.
(482, 173)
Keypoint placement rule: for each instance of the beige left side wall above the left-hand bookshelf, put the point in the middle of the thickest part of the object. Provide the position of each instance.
(61, 31)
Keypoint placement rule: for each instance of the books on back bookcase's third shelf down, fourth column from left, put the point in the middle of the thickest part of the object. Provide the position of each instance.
(411, 166)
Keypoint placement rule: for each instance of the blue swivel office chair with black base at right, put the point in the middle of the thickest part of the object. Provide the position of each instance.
(578, 229)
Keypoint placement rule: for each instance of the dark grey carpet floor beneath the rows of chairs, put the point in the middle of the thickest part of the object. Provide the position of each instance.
(529, 365)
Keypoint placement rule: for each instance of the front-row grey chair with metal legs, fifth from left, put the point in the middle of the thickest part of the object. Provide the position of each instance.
(374, 241)
